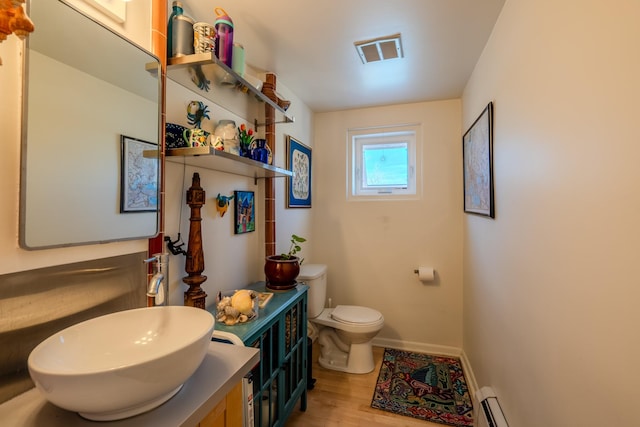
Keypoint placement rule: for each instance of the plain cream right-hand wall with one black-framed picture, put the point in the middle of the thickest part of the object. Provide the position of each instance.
(551, 285)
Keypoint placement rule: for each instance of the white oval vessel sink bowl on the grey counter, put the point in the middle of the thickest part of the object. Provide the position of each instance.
(122, 364)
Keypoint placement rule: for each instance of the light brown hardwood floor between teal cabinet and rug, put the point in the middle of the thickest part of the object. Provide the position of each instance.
(344, 400)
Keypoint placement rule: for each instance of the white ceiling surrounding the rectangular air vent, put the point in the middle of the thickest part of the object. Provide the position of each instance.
(309, 45)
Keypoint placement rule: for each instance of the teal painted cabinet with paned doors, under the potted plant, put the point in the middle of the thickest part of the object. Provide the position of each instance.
(280, 332)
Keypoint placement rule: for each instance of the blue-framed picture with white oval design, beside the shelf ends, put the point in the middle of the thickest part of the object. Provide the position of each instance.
(299, 185)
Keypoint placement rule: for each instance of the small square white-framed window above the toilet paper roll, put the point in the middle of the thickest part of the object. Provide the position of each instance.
(384, 163)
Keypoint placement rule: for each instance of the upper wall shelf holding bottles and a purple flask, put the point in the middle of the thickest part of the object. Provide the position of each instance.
(224, 86)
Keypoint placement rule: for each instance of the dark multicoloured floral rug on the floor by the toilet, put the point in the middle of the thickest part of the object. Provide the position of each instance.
(428, 387)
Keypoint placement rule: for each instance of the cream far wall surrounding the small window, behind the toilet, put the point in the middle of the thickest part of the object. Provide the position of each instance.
(372, 248)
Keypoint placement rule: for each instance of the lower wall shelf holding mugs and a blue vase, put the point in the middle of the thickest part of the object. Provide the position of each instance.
(209, 158)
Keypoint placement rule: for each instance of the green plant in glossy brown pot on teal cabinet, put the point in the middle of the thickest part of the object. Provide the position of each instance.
(282, 270)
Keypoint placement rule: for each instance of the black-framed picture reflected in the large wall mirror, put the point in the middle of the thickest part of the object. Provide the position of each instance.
(138, 176)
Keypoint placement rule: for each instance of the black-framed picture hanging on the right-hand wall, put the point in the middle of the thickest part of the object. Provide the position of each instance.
(477, 154)
